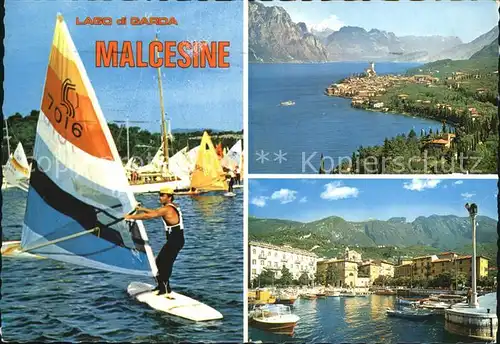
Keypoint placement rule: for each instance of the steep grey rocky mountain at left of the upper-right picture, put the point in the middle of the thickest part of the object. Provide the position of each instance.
(274, 37)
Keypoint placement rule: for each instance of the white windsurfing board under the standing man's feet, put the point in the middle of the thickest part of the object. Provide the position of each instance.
(181, 306)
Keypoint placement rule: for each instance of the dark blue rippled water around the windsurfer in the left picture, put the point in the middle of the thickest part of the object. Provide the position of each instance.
(46, 300)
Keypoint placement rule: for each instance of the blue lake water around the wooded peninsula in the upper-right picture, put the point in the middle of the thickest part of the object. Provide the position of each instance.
(316, 124)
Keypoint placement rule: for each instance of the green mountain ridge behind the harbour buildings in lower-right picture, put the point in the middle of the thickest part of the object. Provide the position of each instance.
(437, 231)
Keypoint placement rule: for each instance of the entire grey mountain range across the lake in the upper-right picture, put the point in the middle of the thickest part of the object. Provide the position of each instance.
(274, 37)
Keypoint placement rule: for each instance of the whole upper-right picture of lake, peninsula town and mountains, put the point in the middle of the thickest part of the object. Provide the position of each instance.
(373, 88)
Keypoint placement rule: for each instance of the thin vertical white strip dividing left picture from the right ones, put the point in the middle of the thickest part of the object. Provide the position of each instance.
(247, 175)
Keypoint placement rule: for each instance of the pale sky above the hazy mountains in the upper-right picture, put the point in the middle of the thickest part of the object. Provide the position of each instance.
(465, 19)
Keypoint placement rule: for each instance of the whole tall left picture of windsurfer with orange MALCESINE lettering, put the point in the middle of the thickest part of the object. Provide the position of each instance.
(122, 172)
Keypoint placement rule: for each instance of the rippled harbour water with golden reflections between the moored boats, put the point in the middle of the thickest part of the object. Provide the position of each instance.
(358, 320)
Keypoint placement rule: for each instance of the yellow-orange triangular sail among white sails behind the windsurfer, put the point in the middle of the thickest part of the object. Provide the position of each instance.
(208, 174)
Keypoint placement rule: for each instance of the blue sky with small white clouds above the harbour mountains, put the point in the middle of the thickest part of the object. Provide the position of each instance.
(308, 200)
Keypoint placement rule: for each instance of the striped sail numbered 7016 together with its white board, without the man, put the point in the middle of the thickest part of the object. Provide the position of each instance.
(74, 213)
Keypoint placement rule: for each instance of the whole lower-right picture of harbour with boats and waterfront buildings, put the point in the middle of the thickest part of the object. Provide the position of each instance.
(331, 261)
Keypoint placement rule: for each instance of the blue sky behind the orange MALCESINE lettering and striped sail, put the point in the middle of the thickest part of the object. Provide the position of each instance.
(193, 98)
